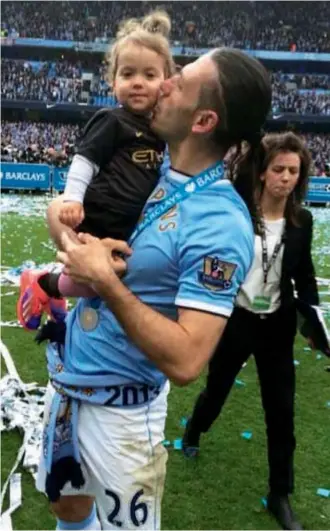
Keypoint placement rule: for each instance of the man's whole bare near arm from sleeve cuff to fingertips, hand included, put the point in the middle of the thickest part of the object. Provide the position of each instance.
(179, 349)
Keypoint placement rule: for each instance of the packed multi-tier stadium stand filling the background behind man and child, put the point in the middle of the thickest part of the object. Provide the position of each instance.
(62, 76)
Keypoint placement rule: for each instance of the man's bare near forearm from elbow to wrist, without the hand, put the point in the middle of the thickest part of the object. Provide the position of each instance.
(164, 342)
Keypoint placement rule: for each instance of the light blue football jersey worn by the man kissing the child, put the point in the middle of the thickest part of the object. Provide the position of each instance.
(195, 256)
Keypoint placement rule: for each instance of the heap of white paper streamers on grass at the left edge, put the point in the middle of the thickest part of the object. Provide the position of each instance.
(22, 408)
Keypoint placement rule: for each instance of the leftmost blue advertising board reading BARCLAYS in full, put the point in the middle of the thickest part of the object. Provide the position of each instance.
(25, 176)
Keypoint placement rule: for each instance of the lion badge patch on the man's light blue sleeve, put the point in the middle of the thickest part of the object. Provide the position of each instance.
(216, 274)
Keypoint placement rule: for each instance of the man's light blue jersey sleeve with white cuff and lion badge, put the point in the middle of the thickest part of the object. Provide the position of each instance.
(215, 255)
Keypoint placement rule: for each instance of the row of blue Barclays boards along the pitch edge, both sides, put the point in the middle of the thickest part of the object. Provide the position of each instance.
(43, 177)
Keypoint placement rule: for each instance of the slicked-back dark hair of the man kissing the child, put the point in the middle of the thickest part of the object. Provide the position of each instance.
(242, 100)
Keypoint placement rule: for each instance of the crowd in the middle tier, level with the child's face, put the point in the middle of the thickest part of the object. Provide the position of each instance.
(62, 82)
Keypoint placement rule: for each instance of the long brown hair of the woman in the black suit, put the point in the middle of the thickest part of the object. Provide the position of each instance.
(273, 145)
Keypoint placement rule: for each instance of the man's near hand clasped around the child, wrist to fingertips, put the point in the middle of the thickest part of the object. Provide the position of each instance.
(94, 262)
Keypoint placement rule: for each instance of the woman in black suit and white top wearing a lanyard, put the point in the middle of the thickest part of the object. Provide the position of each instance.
(264, 320)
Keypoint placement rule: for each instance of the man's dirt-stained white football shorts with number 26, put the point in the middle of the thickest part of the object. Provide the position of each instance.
(123, 461)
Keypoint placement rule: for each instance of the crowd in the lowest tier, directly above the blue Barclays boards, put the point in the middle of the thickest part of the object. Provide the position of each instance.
(54, 143)
